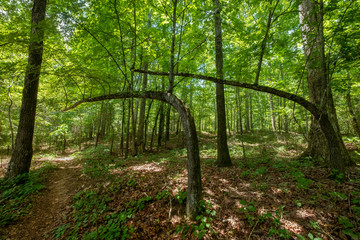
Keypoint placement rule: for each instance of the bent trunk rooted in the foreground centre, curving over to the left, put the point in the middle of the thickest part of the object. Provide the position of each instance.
(193, 164)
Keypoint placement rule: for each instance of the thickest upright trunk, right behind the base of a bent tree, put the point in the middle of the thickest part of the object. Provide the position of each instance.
(311, 21)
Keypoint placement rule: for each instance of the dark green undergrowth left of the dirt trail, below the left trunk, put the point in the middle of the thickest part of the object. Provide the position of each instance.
(16, 194)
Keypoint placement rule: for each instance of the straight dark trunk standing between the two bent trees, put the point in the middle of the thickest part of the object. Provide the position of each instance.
(223, 156)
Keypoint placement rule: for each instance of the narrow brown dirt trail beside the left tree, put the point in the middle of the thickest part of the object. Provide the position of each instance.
(52, 205)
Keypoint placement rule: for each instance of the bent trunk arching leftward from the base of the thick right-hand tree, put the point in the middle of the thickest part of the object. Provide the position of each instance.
(337, 160)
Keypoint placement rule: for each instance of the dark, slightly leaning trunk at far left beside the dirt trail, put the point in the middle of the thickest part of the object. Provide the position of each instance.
(22, 154)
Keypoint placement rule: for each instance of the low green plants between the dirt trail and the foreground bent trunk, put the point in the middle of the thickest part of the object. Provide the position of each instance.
(96, 215)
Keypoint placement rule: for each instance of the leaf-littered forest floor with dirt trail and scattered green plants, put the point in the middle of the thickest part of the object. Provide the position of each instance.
(267, 194)
